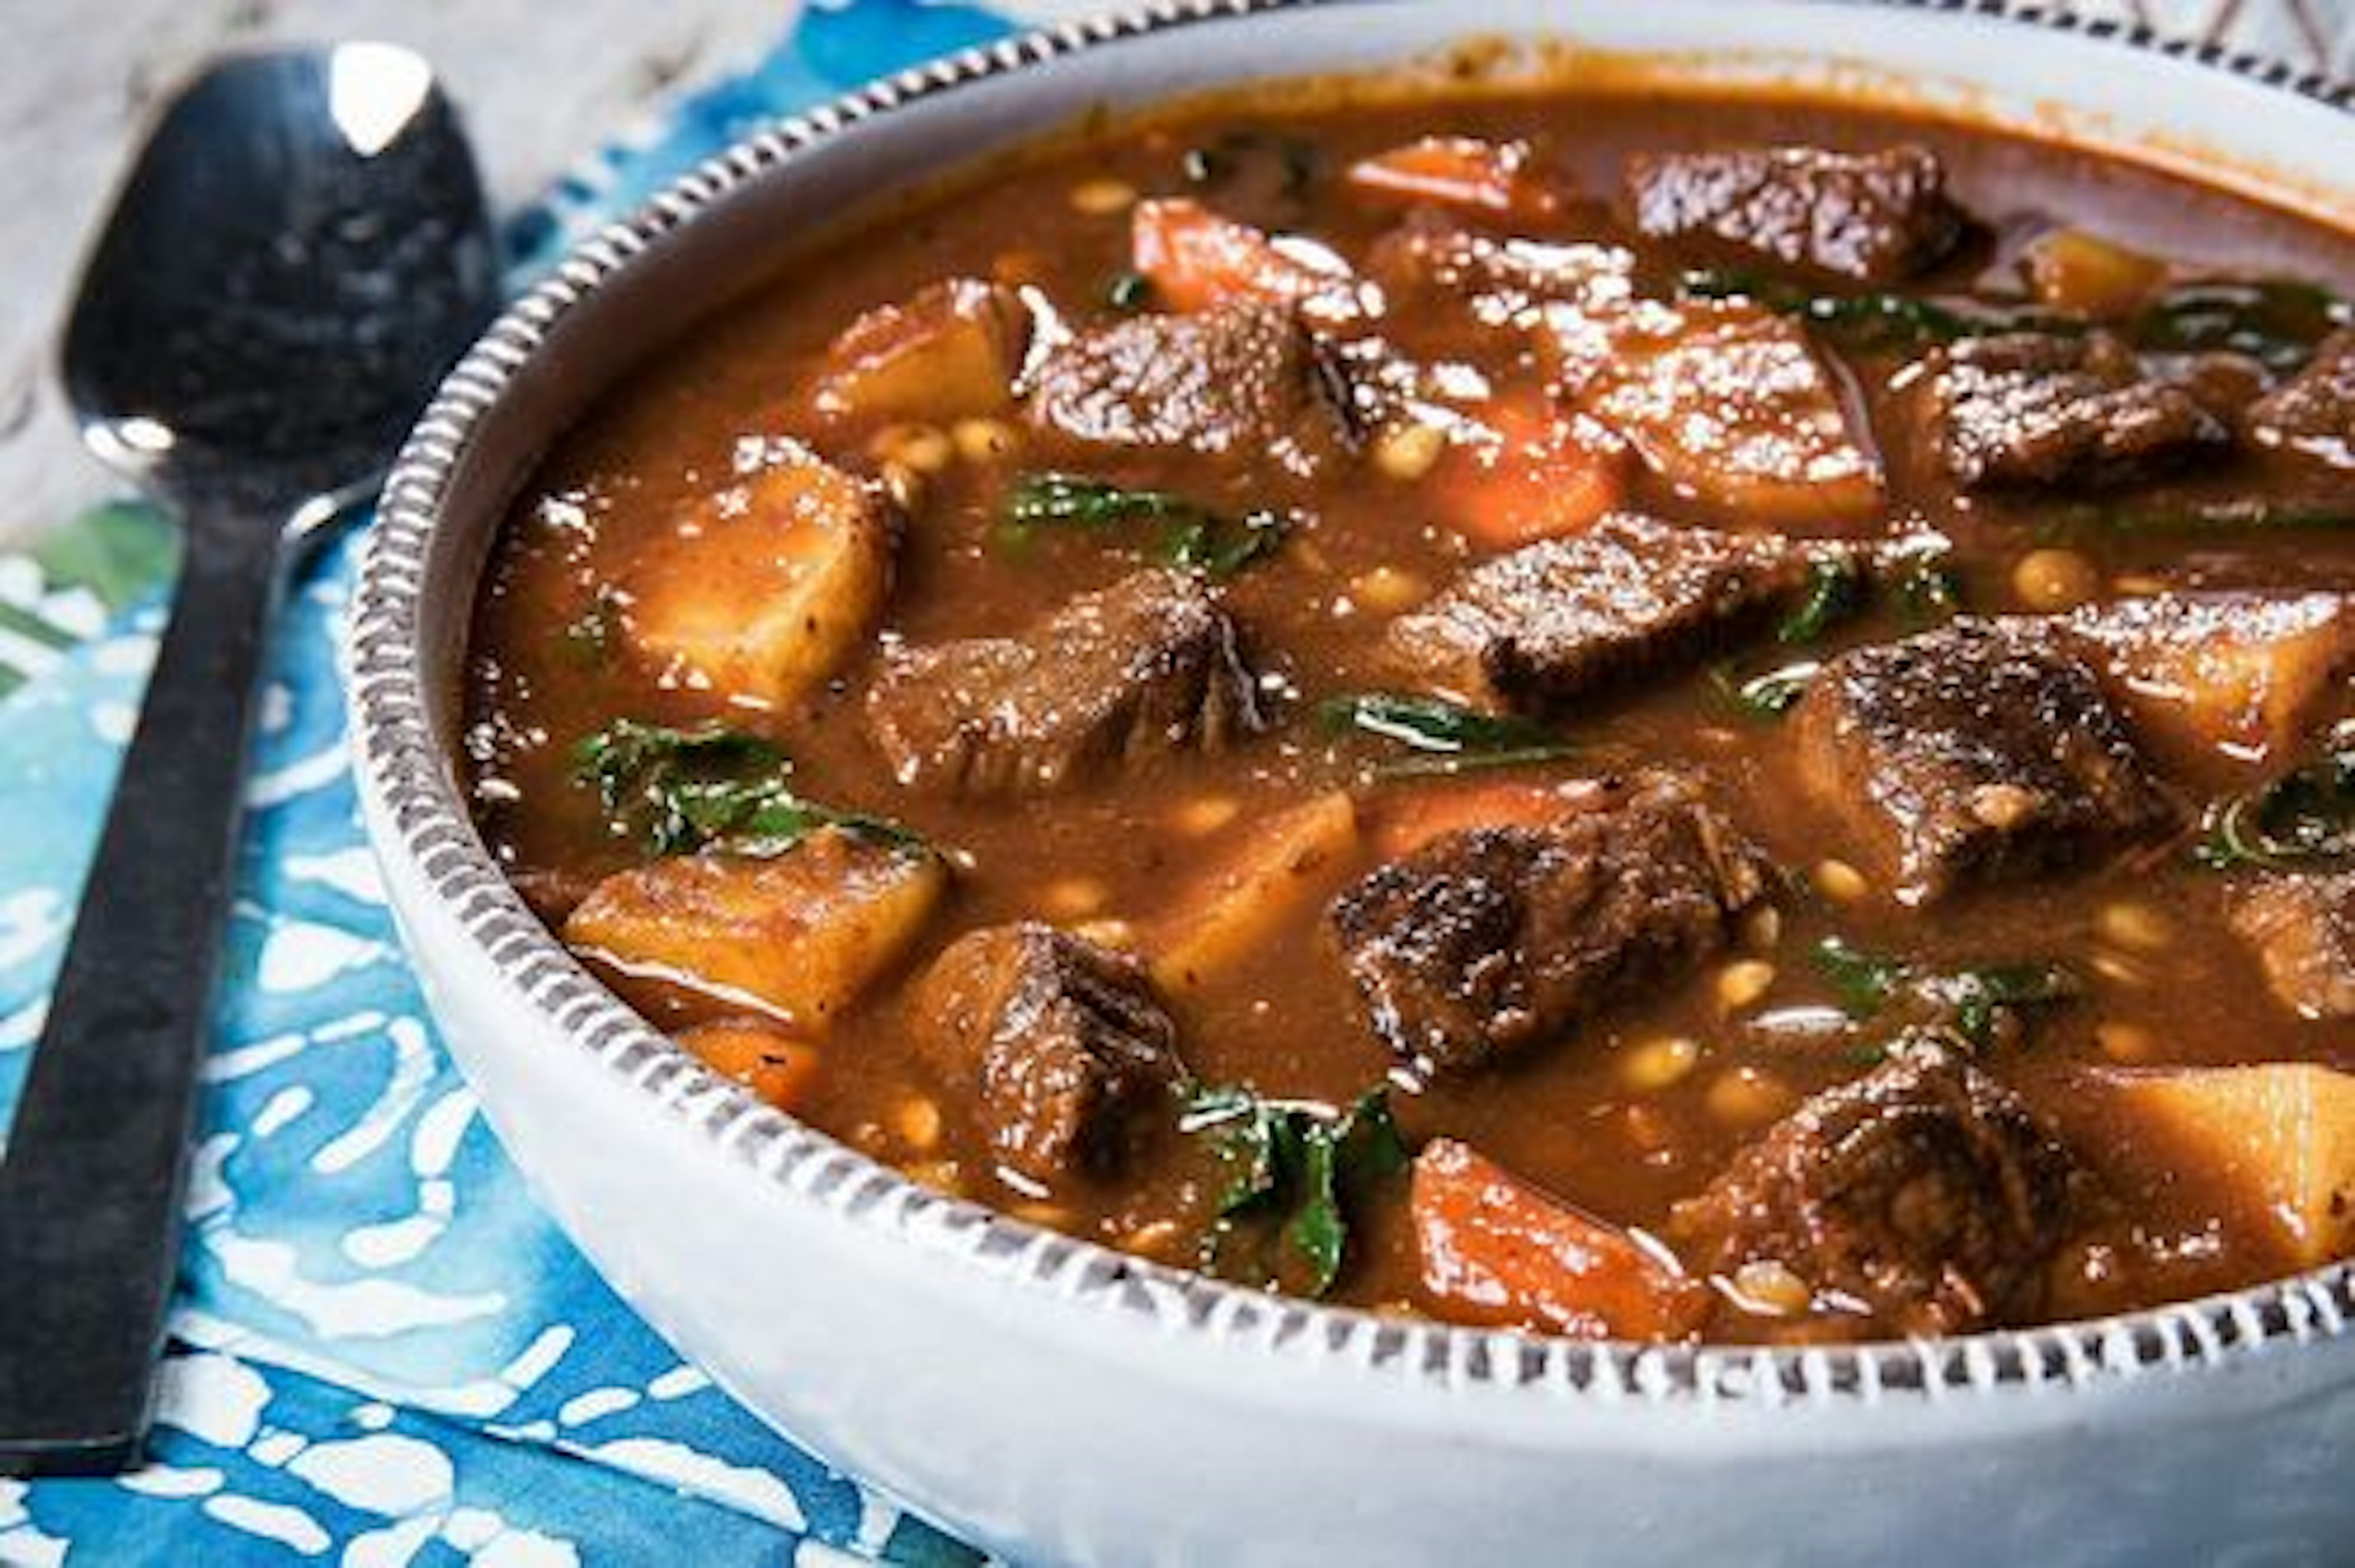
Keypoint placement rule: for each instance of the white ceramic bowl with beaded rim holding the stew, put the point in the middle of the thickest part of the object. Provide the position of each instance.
(1068, 1404)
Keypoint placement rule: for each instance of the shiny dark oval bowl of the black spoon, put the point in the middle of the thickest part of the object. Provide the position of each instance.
(291, 267)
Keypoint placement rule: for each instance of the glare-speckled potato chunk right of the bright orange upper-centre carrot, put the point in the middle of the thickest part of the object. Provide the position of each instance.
(1734, 408)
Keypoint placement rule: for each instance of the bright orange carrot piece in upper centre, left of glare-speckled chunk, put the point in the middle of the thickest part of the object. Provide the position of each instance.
(1544, 477)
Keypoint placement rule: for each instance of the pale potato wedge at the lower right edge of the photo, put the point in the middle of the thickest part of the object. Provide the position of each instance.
(2281, 1134)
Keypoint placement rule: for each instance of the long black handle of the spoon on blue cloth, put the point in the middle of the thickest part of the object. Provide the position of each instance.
(91, 1178)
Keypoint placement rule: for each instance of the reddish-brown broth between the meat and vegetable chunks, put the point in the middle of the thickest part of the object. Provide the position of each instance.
(1287, 1021)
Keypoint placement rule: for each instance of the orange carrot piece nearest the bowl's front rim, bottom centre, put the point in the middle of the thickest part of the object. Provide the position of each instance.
(1499, 1251)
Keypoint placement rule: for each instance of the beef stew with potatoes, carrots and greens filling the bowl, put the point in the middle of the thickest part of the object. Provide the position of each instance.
(1671, 722)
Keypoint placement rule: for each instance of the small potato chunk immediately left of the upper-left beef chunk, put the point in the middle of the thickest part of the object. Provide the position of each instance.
(948, 352)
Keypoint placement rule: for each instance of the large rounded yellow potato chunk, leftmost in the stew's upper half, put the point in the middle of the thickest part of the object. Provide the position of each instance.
(764, 590)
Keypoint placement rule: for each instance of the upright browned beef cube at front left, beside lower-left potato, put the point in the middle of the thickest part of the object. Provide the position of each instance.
(1054, 1042)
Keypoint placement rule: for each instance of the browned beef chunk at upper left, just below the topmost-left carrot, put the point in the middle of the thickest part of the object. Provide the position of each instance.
(1240, 380)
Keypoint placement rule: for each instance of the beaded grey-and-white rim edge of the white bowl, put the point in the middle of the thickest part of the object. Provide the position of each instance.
(411, 773)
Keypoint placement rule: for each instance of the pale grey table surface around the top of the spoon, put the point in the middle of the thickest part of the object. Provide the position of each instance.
(79, 81)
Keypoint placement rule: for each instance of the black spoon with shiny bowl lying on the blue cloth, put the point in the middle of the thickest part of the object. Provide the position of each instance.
(296, 260)
